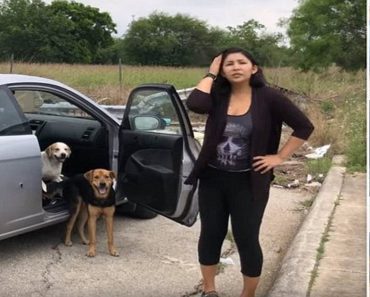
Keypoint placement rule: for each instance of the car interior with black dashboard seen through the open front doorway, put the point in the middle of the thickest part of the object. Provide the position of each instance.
(53, 119)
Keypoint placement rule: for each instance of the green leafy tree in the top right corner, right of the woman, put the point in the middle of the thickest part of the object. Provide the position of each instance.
(326, 32)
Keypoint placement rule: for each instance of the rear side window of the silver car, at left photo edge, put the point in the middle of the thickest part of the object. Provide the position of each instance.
(12, 121)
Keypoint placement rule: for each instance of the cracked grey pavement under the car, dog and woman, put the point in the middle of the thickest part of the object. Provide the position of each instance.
(158, 257)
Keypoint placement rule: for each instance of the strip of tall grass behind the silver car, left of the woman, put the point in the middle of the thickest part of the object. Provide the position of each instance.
(102, 83)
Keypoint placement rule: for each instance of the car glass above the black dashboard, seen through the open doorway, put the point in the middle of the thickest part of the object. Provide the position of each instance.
(42, 102)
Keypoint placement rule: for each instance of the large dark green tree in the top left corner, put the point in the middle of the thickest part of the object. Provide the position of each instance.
(63, 31)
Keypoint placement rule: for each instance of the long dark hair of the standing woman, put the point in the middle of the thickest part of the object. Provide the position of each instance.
(222, 87)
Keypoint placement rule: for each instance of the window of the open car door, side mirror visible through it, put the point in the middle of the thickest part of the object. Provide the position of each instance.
(153, 110)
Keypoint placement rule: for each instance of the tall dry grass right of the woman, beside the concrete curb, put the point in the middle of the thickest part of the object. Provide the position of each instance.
(337, 106)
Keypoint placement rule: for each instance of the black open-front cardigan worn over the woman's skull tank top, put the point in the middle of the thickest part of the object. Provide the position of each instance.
(269, 110)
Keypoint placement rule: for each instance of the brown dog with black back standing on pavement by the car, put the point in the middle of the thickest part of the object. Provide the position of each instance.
(91, 195)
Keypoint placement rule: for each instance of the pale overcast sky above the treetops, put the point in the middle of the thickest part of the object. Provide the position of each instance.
(220, 13)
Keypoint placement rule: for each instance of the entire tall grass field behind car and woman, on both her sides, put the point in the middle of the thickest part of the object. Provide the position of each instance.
(336, 100)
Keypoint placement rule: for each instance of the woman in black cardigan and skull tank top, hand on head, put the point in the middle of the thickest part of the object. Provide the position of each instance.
(235, 165)
